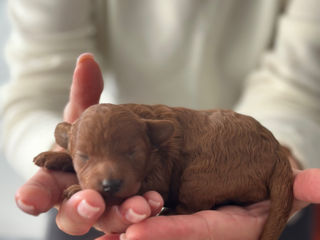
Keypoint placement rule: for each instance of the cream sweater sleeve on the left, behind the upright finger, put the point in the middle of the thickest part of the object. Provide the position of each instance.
(45, 40)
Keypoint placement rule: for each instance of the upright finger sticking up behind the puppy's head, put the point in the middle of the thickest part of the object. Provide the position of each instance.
(86, 87)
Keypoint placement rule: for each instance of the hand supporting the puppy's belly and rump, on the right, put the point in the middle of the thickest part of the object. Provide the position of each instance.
(230, 222)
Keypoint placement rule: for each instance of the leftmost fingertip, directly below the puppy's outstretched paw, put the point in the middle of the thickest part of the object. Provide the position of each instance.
(43, 191)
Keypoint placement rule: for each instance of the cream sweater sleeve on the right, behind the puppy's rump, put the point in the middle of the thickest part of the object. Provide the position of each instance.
(284, 93)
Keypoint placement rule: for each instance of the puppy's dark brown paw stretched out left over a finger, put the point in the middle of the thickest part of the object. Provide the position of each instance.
(58, 161)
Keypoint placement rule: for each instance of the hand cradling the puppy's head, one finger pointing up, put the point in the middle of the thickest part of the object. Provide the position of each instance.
(85, 208)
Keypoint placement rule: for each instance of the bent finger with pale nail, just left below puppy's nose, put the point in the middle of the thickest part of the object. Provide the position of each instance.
(78, 214)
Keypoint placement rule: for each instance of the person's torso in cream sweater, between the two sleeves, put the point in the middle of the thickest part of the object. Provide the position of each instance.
(183, 52)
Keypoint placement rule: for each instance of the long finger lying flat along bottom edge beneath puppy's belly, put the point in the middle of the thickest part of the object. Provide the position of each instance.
(202, 225)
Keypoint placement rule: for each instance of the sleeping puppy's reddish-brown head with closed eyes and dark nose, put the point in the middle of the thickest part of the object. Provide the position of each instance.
(111, 148)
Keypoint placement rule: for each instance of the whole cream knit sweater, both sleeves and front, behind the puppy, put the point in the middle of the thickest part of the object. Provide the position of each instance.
(197, 54)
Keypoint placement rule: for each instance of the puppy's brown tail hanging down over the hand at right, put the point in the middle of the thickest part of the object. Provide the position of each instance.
(281, 196)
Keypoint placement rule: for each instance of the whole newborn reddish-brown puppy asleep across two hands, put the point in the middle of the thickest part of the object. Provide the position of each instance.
(194, 159)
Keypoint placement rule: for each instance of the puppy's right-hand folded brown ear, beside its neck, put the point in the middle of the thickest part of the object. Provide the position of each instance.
(159, 131)
